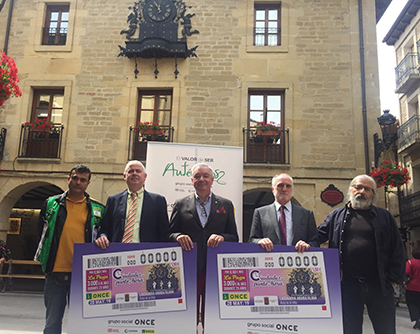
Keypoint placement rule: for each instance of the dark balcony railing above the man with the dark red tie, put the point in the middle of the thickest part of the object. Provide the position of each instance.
(266, 149)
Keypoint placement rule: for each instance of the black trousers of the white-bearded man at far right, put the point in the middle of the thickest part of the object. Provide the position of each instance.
(381, 309)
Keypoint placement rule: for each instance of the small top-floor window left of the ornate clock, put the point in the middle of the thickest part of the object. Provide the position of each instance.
(56, 25)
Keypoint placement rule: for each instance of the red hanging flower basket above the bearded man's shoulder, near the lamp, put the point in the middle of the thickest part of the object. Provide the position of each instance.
(390, 174)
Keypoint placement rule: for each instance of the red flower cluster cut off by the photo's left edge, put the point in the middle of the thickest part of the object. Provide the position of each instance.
(8, 79)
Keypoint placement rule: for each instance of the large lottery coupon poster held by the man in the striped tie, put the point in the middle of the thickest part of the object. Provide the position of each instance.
(133, 288)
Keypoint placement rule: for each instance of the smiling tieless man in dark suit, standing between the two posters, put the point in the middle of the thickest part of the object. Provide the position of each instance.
(204, 218)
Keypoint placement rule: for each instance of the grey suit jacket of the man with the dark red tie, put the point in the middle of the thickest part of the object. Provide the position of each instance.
(265, 225)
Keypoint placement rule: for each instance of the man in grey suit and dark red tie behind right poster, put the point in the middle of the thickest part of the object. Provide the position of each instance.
(283, 222)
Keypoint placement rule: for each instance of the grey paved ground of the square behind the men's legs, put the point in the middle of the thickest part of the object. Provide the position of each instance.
(23, 313)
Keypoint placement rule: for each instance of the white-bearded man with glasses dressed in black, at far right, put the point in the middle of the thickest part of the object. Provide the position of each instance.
(372, 257)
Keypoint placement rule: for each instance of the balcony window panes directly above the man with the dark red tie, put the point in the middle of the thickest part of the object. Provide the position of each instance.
(266, 107)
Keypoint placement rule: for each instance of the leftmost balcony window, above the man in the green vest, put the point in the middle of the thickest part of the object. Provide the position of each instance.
(48, 105)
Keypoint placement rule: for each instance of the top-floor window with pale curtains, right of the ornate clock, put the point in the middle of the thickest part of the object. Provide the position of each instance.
(267, 27)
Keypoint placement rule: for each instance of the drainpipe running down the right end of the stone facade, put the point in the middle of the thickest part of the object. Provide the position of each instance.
(363, 78)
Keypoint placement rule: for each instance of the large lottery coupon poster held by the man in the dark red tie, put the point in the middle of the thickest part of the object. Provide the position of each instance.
(251, 291)
